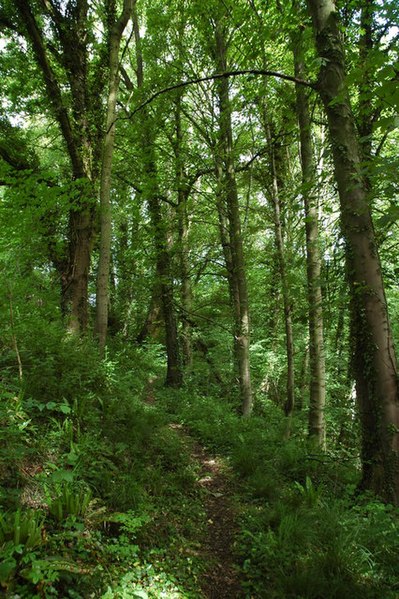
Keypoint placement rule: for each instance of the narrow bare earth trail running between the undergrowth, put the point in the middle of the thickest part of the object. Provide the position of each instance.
(221, 578)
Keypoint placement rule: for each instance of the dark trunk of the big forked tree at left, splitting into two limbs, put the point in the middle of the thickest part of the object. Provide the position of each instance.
(75, 129)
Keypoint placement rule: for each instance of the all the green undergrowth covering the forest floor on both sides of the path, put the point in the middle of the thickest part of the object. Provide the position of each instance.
(99, 495)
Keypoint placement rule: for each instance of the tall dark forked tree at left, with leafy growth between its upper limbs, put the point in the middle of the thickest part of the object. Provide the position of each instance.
(80, 123)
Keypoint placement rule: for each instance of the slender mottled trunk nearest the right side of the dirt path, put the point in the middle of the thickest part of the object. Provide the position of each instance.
(238, 274)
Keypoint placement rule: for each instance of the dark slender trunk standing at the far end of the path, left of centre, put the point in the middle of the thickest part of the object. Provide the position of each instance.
(174, 375)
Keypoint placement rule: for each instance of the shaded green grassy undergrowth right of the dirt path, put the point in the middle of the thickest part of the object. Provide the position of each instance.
(304, 532)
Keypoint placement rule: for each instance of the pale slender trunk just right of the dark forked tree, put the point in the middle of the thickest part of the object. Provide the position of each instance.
(103, 274)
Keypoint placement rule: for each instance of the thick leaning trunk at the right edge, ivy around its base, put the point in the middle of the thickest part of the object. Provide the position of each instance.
(374, 359)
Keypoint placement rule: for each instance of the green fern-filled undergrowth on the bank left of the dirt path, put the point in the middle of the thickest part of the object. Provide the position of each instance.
(98, 495)
